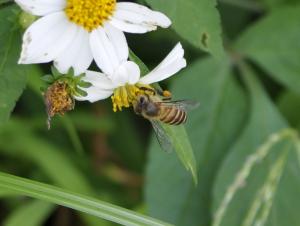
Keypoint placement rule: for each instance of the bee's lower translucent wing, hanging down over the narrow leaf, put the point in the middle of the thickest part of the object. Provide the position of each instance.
(162, 137)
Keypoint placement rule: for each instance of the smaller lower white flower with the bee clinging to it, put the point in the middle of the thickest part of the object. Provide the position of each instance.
(123, 81)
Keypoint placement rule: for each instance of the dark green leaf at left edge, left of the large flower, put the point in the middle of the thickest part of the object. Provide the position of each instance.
(12, 75)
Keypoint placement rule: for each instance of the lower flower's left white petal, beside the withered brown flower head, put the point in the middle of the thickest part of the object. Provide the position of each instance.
(94, 94)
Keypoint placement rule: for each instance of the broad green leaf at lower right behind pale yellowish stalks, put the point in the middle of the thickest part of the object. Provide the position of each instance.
(259, 179)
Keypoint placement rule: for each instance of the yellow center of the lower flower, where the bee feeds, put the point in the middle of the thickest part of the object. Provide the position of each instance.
(124, 96)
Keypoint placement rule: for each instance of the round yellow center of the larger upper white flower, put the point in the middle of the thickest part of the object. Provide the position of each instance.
(89, 13)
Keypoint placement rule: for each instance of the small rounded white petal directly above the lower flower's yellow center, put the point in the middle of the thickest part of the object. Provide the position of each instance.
(128, 72)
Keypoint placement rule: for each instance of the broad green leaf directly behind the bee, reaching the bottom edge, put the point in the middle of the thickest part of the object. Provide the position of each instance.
(170, 194)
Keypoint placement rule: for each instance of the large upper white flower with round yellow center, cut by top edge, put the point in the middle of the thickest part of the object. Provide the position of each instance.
(74, 32)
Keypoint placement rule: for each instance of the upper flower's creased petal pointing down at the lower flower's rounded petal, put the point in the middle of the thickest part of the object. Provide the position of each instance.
(109, 48)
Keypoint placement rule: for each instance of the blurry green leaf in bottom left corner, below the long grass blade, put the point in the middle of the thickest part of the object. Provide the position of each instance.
(32, 213)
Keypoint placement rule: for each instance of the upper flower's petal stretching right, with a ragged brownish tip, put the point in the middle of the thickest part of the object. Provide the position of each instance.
(135, 18)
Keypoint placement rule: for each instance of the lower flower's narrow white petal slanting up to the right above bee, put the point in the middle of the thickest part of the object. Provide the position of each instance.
(173, 63)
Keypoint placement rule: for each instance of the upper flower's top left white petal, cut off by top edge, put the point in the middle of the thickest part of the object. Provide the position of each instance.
(41, 7)
